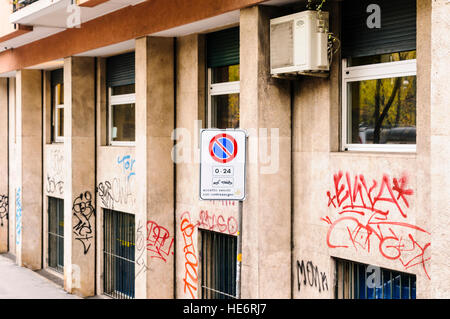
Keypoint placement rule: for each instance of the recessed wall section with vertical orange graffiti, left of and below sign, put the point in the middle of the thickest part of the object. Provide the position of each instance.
(191, 213)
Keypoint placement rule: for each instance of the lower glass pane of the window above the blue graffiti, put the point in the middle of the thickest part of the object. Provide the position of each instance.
(123, 122)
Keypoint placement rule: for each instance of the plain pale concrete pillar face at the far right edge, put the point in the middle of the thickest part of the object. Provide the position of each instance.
(439, 148)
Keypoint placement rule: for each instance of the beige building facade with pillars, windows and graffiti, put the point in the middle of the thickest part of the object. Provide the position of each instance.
(347, 179)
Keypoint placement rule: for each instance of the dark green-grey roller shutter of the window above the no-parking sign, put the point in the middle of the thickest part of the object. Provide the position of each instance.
(223, 48)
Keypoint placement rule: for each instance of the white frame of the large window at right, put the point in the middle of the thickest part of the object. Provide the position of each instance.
(372, 72)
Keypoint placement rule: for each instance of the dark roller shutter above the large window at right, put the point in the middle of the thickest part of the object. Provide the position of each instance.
(397, 32)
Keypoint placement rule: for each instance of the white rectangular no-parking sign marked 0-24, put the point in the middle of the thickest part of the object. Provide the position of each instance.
(222, 164)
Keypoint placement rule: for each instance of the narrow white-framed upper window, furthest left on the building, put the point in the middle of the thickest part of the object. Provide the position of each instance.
(58, 105)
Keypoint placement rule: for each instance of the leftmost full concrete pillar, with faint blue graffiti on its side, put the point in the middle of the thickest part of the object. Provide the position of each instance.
(28, 197)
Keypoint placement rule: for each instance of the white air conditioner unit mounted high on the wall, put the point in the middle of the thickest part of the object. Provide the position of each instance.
(299, 43)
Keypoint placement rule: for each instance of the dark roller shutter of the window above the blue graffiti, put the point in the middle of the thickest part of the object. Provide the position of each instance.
(120, 69)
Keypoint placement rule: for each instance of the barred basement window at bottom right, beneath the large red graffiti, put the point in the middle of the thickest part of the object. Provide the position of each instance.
(360, 281)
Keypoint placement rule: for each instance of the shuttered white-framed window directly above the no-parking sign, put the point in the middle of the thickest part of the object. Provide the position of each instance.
(223, 78)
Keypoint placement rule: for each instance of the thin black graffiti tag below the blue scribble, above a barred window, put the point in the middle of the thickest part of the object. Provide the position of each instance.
(114, 192)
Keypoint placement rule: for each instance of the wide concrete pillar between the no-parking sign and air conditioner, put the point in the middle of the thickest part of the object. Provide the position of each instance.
(264, 104)
